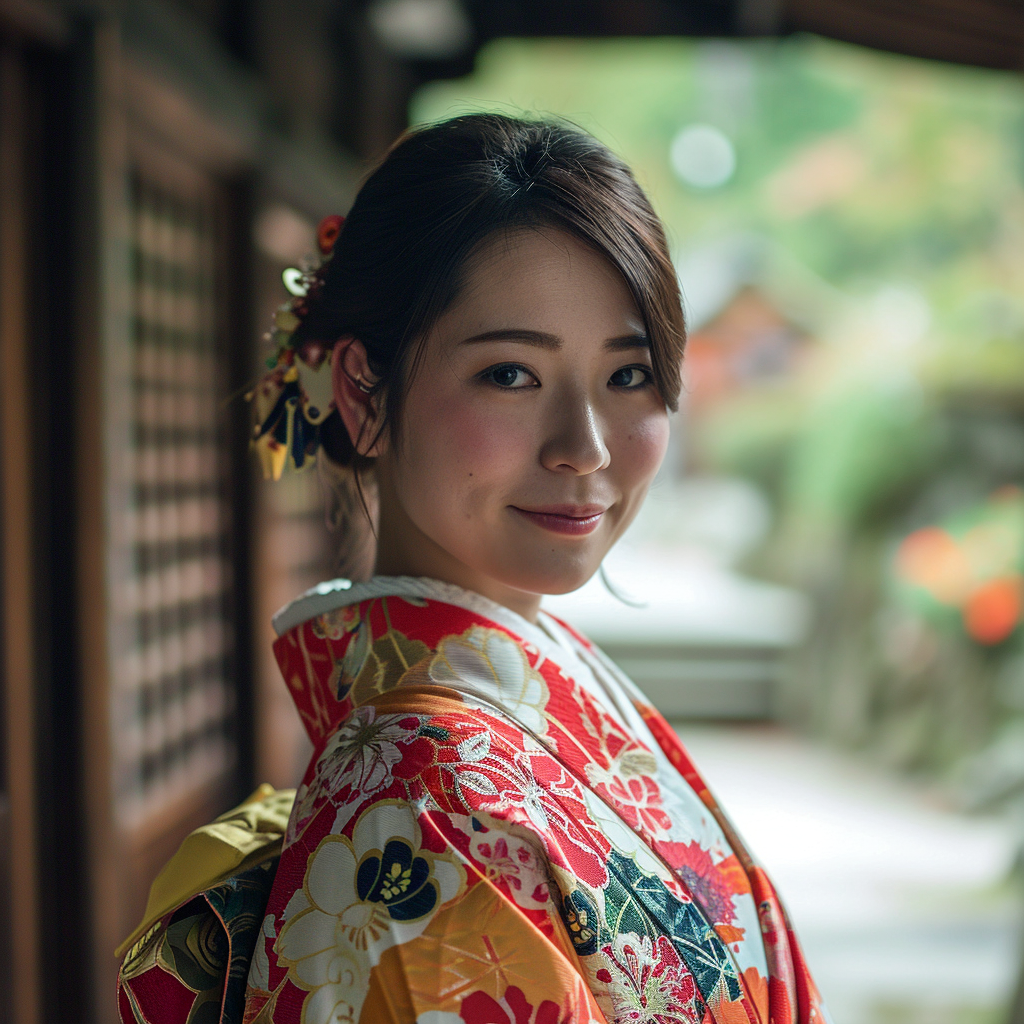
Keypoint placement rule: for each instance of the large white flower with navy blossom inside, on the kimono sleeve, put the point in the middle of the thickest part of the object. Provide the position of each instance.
(365, 895)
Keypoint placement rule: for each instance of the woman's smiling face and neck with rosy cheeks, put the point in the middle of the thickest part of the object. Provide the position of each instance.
(532, 429)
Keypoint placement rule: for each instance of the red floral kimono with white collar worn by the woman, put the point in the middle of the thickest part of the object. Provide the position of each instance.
(495, 828)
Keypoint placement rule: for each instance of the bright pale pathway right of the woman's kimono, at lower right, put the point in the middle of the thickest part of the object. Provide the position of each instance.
(906, 909)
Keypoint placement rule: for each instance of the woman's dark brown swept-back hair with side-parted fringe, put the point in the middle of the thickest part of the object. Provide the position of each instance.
(439, 195)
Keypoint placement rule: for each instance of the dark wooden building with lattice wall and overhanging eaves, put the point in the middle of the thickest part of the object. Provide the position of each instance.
(160, 162)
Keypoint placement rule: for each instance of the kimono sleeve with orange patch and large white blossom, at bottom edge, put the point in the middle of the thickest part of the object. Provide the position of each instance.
(419, 917)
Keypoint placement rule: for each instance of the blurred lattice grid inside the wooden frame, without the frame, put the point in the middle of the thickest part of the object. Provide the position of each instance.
(176, 691)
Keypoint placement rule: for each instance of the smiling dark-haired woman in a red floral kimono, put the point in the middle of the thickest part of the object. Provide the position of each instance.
(495, 826)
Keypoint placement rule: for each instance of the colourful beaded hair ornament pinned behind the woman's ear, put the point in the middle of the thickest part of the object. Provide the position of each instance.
(286, 423)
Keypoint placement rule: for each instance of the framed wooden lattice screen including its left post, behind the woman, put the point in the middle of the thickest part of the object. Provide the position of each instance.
(165, 556)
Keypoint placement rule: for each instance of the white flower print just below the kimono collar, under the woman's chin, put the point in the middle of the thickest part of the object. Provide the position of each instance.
(491, 664)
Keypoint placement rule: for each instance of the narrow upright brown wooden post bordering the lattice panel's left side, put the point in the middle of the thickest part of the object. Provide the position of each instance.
(104, 311)
